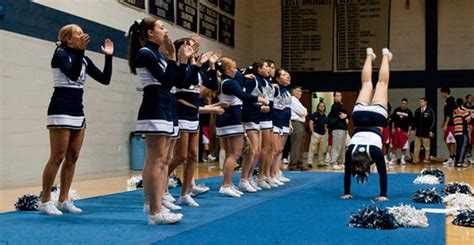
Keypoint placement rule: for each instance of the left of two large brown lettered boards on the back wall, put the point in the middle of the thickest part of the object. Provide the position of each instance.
(307, 35)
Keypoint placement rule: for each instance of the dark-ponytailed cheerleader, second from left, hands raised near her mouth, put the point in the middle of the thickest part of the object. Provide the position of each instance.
(158, 75)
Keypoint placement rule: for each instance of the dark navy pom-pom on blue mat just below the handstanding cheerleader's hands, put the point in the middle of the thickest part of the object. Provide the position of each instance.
(373, 217)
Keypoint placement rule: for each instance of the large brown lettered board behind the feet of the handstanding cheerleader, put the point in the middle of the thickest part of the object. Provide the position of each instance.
(360, 24)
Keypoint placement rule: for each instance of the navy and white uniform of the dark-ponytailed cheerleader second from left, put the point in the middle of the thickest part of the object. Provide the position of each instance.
(157, 76)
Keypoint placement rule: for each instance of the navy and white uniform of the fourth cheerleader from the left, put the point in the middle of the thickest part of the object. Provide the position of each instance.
(230, 122)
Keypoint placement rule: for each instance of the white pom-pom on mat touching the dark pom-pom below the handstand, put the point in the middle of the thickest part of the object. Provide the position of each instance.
(408, 216)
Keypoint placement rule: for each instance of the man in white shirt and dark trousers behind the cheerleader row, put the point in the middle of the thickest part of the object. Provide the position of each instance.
(298, 117)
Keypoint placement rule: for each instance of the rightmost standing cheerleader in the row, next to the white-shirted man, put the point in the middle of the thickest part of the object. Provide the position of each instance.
(281, 116)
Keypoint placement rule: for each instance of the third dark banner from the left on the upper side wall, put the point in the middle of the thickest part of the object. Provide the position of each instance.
(186, 14)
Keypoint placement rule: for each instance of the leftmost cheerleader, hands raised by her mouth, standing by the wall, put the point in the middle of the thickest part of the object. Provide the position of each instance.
(66, 119)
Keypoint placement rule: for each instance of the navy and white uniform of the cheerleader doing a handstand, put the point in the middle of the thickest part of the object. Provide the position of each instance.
(367, 138)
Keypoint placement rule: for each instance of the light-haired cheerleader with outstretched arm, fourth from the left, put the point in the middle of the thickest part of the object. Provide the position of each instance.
(229, 125)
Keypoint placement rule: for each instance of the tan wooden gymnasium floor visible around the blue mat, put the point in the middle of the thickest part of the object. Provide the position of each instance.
(101, 184)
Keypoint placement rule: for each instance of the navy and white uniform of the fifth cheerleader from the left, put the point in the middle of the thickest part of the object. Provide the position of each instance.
(251, 113)
